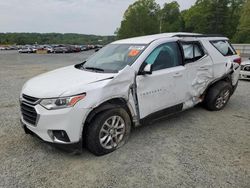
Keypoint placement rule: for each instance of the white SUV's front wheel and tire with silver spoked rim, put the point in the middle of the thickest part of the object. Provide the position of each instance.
(105, 133)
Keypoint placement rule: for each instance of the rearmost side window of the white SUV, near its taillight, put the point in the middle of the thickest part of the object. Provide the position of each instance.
(223, 47)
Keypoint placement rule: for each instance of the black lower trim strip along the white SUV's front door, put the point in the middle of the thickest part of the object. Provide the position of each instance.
(162, 113)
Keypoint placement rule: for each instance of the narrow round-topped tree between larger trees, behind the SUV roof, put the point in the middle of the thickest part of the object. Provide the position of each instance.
(171, 20)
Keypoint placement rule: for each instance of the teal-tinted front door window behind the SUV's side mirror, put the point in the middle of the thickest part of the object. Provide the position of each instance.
(165, 56)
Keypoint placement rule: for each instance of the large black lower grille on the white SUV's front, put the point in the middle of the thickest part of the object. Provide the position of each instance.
(29, 113)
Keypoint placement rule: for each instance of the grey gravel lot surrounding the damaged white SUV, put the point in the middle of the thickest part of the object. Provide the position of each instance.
(196, 148)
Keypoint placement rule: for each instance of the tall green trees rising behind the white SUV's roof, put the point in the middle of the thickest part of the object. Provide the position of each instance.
(230, 18)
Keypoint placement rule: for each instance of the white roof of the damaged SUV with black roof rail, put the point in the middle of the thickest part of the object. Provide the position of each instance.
(150, 38)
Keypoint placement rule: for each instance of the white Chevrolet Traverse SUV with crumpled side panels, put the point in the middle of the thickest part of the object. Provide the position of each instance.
(127, 83)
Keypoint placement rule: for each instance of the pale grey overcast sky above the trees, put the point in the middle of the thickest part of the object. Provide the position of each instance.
(99, 17)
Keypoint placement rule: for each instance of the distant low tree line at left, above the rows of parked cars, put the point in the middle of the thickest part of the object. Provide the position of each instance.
(52, 38)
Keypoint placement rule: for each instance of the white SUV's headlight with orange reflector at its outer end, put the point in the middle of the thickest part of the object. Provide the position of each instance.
(62, 102)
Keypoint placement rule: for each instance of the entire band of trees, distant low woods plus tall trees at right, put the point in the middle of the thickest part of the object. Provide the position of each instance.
(230, 18)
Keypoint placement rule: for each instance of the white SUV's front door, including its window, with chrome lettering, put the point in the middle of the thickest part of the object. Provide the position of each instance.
(165, 88)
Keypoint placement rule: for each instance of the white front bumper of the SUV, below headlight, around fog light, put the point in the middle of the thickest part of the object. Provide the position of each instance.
(68, 120)
